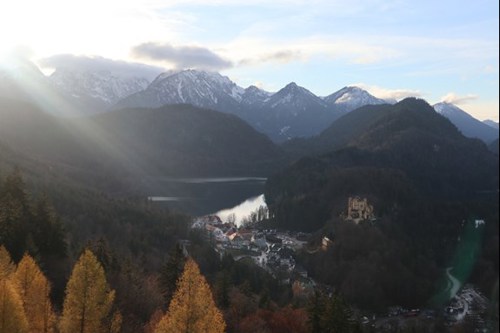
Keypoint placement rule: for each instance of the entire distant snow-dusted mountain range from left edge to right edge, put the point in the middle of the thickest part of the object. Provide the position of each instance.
(291, 112)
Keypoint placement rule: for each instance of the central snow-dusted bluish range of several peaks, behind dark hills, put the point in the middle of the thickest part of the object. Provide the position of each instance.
(291, 112)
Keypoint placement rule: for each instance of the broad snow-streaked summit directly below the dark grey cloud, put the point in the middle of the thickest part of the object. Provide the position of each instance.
(202, 89)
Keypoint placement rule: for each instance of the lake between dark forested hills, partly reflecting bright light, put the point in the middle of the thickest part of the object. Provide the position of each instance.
(202, 196)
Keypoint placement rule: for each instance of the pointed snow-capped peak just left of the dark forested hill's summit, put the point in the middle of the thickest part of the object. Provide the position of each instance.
(351, 98)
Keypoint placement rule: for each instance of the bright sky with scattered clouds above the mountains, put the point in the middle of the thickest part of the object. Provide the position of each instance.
(437, 50)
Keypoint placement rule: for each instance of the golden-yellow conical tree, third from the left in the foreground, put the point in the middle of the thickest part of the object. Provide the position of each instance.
(88, 298)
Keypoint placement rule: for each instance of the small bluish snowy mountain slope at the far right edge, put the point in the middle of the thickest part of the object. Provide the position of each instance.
(468, 125)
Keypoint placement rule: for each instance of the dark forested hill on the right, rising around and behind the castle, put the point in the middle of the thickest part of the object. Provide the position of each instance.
(427, 184)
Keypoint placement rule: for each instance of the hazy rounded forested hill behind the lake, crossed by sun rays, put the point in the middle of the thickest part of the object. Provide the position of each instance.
(117, 150)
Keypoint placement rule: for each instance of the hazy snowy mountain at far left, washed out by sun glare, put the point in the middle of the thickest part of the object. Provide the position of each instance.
(64, 93)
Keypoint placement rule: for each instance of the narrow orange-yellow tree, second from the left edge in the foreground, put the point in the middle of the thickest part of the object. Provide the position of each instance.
(34, 290)
